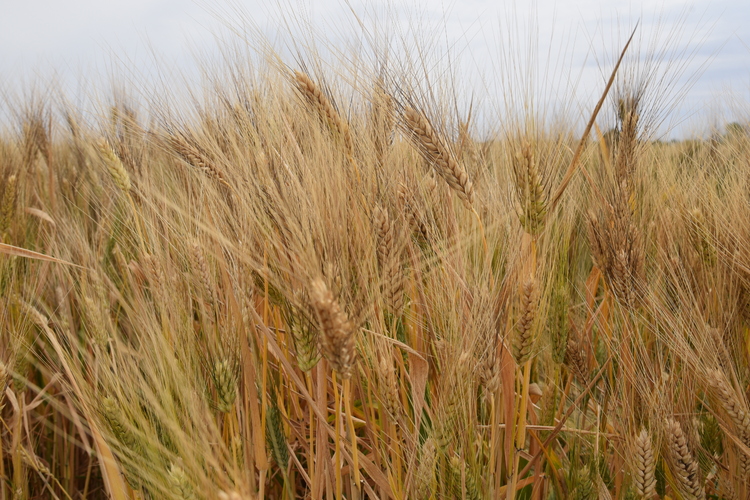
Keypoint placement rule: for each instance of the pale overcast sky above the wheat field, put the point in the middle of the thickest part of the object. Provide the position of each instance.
(80, 43)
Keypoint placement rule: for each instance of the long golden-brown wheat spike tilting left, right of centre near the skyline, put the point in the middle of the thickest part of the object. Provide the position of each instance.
(433, 149)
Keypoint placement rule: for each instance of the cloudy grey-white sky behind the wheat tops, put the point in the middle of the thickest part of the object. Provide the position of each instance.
(80, 39)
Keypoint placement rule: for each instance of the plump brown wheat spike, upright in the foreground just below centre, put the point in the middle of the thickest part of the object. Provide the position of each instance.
(337, 339)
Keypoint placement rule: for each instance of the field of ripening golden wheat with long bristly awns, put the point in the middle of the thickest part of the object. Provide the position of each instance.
(322, 282)
